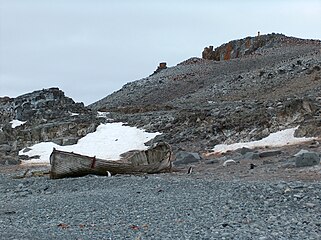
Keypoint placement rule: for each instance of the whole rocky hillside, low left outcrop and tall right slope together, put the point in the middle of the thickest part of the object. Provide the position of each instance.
(240, 91)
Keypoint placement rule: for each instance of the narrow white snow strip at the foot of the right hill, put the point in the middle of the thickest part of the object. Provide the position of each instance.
(277, 139)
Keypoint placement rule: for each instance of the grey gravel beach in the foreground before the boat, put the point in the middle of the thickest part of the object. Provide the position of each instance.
(163, 206)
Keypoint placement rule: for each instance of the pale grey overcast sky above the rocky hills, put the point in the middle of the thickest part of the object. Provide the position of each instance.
(90, 48)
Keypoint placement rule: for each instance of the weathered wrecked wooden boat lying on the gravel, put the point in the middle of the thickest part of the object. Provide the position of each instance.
(155, 159)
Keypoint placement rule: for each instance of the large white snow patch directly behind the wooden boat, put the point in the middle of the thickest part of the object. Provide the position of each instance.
(107, 142)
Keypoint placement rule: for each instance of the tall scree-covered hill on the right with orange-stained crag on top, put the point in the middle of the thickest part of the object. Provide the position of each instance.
(241, 91)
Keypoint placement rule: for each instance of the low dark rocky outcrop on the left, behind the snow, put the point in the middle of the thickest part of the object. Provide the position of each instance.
(45, 115)
